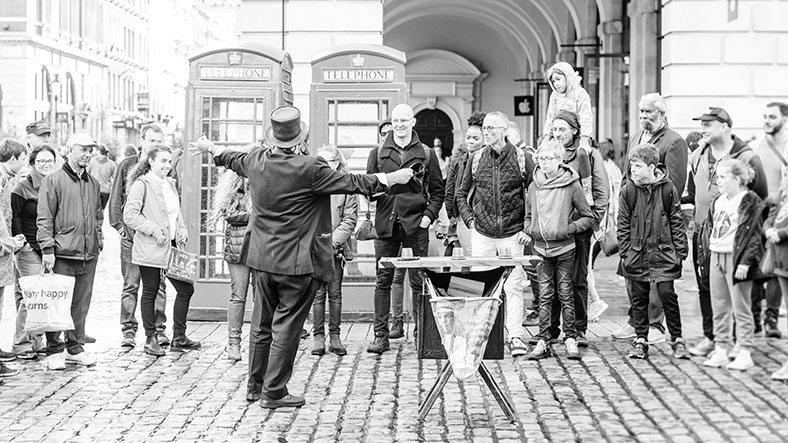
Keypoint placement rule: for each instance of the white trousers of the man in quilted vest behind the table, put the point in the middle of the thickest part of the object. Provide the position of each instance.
(486, 246)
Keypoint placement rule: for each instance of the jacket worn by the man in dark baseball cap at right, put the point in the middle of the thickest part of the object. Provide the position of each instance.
(702, 188)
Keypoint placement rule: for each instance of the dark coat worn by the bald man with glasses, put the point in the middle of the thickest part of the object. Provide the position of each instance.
(409, 208)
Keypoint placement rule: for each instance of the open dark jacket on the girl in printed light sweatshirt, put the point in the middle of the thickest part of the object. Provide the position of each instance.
(748, 240)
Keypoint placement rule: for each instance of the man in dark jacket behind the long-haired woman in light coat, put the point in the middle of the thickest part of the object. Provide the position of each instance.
(149, 135)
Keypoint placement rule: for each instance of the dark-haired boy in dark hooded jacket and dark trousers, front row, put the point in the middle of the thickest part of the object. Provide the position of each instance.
(653, 244)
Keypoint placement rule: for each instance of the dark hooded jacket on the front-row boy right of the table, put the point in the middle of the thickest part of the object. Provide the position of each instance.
(652, 243)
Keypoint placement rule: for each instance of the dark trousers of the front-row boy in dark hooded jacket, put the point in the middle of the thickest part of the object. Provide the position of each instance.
(640, 301)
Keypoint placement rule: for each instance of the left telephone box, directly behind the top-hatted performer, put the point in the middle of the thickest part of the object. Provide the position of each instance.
(230, 95)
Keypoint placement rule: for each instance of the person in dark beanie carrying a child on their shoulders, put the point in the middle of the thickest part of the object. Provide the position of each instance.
(566, 128)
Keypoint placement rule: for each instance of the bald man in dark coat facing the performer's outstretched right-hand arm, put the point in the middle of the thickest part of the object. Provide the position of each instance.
(402, 220)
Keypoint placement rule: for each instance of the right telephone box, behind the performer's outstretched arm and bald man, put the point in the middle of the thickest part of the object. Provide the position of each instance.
(354, 88)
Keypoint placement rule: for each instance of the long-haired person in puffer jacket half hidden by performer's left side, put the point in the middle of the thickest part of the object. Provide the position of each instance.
(232, 204)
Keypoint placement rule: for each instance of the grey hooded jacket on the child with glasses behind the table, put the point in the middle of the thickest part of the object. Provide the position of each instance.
(557, 210)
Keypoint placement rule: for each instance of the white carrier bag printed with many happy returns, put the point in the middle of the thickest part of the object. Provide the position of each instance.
(47, 297)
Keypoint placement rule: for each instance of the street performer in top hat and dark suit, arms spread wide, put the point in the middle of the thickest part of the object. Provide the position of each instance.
(288, 243)
